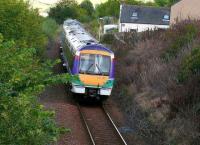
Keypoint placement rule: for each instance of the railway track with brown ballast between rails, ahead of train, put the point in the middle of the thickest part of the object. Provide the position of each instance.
(100, 126)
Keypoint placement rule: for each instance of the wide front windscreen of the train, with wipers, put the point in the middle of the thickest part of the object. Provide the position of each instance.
(94, 64)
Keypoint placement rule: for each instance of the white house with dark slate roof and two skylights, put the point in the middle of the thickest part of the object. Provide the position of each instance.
(142, 18)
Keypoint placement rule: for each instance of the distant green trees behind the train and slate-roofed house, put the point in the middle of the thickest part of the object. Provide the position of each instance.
(85, 12)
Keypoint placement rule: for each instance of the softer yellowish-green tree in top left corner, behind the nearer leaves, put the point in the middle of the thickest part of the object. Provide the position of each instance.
(21, 23)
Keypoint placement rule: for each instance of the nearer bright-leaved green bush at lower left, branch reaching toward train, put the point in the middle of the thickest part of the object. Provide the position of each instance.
(23, 121)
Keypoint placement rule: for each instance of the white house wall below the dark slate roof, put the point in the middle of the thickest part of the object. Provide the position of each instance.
(127, 27)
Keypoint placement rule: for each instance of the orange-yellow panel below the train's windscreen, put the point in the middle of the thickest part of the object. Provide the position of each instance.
(94, 80)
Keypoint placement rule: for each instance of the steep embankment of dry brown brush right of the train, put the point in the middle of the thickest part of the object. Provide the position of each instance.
(157, 84)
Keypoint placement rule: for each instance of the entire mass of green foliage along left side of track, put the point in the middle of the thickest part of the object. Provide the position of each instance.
(24, 75)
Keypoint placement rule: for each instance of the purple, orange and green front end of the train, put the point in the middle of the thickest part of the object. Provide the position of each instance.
(93, 71)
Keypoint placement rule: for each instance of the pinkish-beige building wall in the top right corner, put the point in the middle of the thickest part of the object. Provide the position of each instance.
(185, 9)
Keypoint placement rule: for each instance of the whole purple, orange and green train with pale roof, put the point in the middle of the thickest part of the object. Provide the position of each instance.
(90, 63)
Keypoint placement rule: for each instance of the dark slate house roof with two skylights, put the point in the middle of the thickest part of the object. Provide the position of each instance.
(144, 15)
